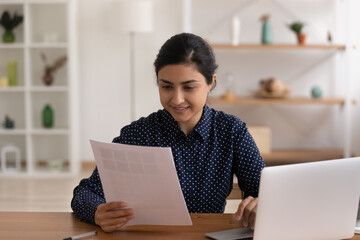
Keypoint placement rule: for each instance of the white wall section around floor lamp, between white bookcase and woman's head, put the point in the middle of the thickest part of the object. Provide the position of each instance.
(104, 69)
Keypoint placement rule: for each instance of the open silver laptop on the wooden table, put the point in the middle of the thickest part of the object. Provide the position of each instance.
(317, 200)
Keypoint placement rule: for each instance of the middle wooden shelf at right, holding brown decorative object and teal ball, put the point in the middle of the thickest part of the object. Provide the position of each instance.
(278, 101)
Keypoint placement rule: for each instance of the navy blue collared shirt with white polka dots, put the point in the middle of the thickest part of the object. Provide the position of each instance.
(206, 159)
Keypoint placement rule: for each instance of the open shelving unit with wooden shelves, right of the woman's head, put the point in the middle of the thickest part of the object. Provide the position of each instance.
(323, 125)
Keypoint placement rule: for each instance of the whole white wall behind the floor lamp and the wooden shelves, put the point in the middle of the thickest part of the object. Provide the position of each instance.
(104, 68)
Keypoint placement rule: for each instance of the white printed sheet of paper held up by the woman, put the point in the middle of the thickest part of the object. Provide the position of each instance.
(145, 178)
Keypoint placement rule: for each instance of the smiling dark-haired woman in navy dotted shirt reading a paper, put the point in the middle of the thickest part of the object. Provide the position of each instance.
(208, 146)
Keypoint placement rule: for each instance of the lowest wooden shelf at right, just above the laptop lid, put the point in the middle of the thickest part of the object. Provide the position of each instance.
(280, 157)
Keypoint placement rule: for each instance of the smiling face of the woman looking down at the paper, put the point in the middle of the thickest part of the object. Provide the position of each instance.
(183, 92)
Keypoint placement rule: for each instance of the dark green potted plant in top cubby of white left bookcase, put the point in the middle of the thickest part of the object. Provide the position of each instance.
(9, 23)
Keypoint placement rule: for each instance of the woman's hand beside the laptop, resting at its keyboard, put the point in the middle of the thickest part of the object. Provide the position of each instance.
(246, 212)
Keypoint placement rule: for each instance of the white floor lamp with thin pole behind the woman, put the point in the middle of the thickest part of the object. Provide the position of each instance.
(133, 16)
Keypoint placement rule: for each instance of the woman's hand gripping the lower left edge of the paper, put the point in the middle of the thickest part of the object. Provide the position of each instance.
(111, 217)
